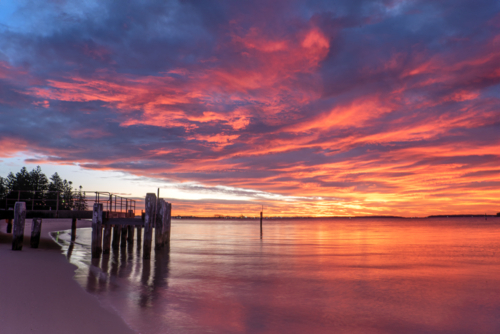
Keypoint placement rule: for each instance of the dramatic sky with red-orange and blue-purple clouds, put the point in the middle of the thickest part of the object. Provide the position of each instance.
(317, 108)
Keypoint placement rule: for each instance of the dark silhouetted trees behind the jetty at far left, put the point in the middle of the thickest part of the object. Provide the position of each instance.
(40, 192)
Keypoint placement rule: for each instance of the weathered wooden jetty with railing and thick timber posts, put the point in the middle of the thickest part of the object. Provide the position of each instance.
(114, 222)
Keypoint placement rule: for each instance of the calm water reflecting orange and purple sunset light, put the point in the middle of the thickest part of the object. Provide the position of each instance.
(305, 276)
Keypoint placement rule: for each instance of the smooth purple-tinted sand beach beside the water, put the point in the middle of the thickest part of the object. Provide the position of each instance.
(38, 293)
